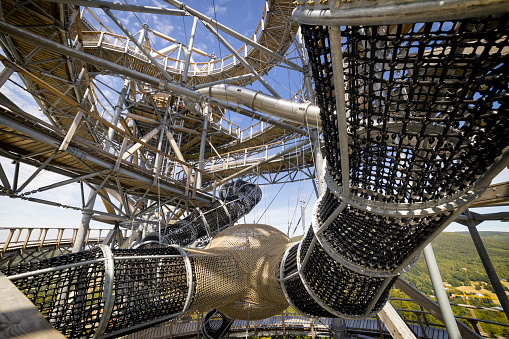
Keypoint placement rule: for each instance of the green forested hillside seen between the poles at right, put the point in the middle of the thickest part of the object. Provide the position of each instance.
(459, 262)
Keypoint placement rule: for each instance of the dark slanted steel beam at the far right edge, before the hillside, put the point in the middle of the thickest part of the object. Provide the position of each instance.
(488, 266)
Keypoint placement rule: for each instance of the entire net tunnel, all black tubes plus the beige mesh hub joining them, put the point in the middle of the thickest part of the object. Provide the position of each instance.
(414, 118)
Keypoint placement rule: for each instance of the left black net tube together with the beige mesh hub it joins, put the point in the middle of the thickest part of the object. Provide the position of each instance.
(107, 293)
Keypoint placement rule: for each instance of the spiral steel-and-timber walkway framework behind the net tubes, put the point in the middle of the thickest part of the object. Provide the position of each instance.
(145, 155)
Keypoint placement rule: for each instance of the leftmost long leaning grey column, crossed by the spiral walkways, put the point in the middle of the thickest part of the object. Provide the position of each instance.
(87, 214)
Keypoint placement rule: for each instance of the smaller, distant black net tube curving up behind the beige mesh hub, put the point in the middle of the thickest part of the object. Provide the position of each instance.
(239, 198)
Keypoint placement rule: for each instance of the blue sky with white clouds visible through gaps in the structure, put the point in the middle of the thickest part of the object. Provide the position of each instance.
(278, 209)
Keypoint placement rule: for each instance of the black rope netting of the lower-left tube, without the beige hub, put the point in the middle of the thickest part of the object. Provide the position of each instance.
(71, 293)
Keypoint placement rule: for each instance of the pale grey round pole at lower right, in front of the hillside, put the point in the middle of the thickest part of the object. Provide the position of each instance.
(443, 301)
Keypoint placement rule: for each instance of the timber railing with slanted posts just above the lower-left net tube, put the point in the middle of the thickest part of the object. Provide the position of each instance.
(23, 238)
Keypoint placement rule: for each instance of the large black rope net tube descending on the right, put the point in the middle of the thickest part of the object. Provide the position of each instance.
(426, 116)
